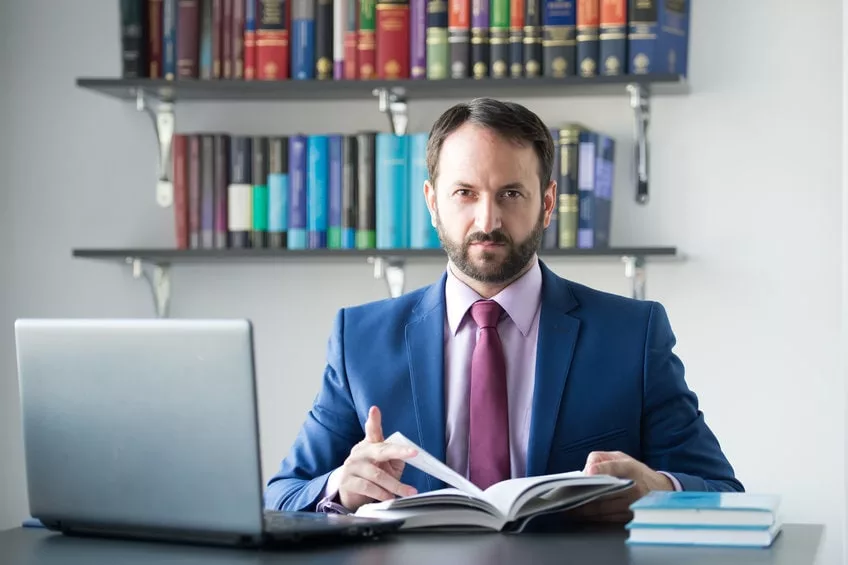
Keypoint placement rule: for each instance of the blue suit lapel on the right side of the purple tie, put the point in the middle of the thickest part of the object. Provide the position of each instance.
(556, 341)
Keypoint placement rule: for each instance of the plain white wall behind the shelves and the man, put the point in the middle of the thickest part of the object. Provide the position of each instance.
(746, 180)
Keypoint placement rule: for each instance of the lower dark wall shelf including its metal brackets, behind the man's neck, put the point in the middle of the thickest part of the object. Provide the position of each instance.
(154, 264)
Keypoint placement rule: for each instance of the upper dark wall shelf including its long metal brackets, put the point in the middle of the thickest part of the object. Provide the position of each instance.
(158, 97)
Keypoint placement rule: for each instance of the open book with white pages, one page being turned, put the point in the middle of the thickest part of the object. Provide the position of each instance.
(506, 506)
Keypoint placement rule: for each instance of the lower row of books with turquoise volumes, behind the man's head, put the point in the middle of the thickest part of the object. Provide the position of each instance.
(356, 191)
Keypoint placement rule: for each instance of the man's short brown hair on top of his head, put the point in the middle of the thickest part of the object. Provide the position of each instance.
(510, 120)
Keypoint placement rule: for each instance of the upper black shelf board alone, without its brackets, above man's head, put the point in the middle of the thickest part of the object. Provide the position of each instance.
(418, 89)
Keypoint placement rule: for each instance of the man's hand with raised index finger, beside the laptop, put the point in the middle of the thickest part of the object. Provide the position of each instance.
(373, 469)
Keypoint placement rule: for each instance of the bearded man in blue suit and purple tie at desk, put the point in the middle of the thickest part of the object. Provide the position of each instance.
(501, 369)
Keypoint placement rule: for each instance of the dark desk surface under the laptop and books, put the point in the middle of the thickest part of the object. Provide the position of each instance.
(796, 545)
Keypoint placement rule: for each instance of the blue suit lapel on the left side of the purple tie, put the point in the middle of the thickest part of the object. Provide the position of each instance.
(425, 348)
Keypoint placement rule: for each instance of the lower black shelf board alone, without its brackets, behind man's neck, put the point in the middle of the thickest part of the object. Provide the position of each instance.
(225, 255)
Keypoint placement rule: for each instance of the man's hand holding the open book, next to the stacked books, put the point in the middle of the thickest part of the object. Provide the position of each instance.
(616, 507)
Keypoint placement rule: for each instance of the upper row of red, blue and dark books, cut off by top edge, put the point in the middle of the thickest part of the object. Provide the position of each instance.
(401, 39)
